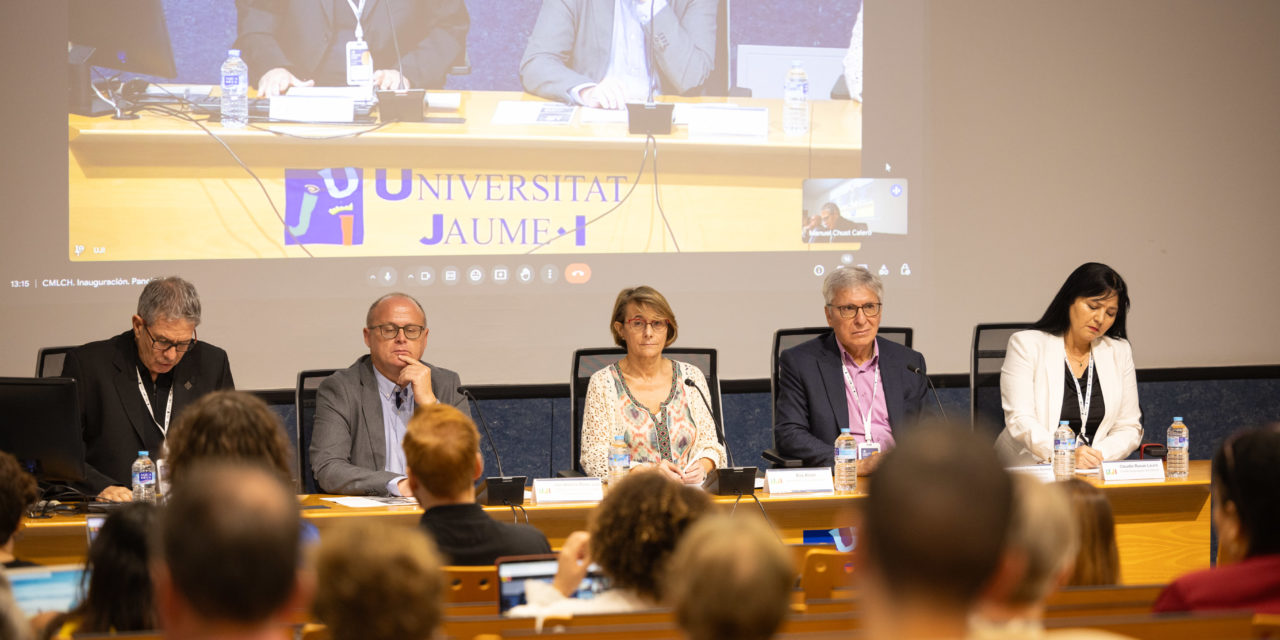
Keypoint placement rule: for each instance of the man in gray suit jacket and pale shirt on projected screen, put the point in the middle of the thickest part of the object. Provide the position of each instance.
(596, 53)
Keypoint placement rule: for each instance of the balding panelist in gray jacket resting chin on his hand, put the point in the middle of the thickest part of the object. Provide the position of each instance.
(363, 412)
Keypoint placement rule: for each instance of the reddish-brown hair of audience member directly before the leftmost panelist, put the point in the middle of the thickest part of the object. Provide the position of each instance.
(230, 427)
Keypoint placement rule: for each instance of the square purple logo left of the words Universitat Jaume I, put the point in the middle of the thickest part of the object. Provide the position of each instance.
(324, 207)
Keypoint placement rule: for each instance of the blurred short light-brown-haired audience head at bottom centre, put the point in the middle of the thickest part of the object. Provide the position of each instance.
(730, 578)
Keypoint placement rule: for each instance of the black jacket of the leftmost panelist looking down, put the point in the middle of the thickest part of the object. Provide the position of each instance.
(116, 422)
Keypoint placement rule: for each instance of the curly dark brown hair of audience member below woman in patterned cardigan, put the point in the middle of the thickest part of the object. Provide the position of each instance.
(638, 525)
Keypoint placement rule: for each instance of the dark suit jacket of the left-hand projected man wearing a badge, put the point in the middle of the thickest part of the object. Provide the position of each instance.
(296, 35)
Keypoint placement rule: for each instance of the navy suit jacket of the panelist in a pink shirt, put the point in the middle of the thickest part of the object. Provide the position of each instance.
(812, 409)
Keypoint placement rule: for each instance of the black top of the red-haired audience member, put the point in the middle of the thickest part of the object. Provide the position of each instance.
(468, 537)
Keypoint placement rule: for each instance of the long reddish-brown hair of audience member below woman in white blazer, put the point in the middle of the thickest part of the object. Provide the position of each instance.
(1099, 559)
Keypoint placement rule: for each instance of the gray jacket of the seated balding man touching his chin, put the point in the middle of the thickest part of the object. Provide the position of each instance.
(349, 444)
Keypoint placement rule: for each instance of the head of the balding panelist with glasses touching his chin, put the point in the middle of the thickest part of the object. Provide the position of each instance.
(395, 328)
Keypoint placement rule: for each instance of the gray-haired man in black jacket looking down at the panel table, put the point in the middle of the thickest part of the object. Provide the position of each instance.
(134, 386)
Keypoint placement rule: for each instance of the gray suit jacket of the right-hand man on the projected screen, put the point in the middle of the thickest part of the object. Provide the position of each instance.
(572, 42)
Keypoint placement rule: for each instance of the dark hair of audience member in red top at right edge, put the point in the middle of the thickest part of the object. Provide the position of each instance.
(1247, 472)
